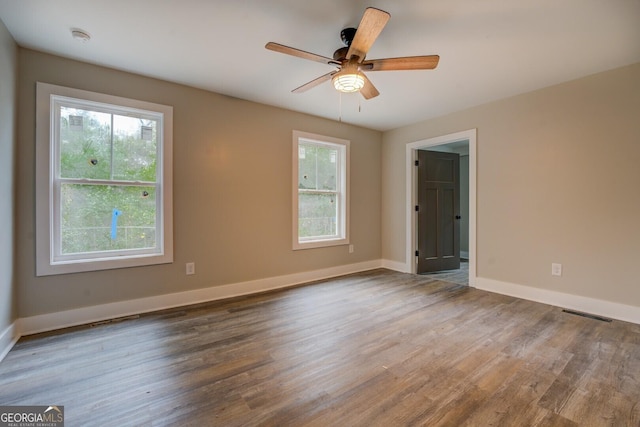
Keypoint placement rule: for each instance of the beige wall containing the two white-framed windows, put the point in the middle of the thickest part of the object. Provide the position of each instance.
(232, 191)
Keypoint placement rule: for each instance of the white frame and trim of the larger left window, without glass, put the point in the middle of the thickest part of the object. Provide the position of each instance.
(48, 259)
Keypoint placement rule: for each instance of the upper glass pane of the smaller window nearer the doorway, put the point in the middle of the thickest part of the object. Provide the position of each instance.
(317, 167)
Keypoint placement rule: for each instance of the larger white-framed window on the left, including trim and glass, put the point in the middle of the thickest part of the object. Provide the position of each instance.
(103, 197)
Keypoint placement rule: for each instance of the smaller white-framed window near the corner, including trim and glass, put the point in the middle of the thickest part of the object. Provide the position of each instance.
(320, 185)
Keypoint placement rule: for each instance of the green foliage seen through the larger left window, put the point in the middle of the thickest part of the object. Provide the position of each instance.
(118, 210)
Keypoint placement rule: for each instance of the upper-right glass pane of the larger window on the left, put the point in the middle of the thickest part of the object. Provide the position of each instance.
(134, 148)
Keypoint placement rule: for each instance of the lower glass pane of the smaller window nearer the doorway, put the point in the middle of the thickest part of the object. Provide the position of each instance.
(317, 215)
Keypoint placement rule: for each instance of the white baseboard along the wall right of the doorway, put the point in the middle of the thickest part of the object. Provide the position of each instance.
(612, 310)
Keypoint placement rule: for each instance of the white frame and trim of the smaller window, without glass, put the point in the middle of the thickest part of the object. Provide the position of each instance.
(342, 186)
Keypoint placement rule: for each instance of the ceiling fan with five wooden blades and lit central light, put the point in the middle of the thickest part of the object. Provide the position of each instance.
(350, 60)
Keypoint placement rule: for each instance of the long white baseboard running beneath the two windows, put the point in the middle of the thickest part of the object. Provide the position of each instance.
(98, 313)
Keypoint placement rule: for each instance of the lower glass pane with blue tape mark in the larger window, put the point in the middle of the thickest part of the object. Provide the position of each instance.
(102, 218)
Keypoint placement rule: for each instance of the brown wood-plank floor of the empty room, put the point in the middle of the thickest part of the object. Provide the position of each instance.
(372, 349)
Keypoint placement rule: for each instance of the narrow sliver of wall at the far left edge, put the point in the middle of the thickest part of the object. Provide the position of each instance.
(8, 137)
